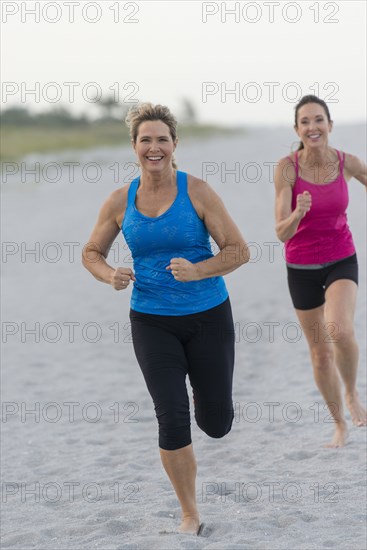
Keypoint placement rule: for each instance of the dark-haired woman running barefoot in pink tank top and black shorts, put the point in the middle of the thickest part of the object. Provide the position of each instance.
(311, 202)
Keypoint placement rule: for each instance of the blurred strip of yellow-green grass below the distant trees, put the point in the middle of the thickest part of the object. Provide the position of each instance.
(19, 141)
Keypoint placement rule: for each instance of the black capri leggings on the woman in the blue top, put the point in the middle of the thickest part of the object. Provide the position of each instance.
(200, 345)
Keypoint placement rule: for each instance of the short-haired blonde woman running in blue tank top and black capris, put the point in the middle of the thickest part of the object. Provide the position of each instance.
(181, 319)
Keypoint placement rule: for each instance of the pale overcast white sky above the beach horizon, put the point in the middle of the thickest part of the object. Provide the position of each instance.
(238, 63)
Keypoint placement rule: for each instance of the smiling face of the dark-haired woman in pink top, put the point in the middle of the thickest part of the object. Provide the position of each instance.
(313, 126)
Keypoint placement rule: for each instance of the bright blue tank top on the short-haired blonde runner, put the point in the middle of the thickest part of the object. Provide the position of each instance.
(177, 233)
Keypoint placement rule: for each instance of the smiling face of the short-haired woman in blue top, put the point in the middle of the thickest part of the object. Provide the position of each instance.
(154, 145)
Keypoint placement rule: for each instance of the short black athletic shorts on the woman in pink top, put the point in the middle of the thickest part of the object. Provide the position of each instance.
(307, 286)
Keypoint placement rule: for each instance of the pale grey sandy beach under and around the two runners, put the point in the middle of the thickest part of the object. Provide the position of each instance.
(80, 460)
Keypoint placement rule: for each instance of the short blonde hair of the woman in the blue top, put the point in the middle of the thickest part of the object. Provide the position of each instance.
(143, 112)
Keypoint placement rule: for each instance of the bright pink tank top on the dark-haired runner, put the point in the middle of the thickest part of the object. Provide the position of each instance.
(323, 235)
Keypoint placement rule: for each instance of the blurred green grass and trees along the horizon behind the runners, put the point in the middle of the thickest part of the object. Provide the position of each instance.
(23, 133)
